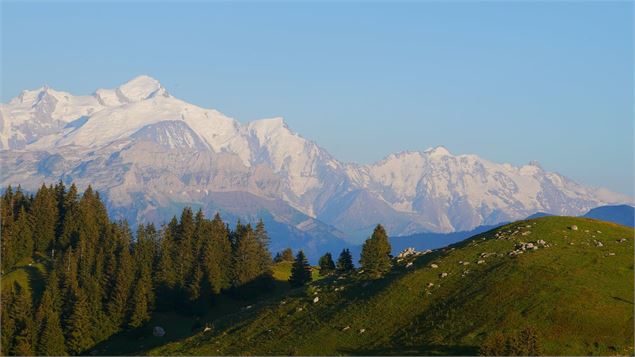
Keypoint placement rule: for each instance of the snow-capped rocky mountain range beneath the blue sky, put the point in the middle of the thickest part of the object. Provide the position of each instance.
(151, 153)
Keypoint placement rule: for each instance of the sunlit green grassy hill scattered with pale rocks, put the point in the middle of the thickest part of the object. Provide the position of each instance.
(575, 289)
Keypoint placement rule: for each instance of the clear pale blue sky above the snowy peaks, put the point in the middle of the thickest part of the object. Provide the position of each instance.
(509, 81)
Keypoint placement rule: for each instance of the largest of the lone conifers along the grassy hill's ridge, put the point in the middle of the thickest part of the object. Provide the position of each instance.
(375, 257)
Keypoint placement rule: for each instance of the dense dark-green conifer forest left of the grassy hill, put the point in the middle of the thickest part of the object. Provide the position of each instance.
(102, 278)
